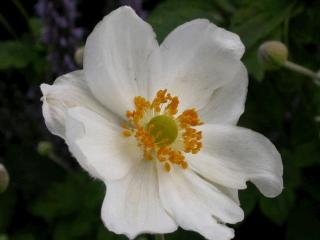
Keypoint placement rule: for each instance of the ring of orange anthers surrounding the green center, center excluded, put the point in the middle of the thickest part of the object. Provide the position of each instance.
(165, 104)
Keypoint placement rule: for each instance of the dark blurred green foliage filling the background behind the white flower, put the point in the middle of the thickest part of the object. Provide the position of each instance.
(46, 202)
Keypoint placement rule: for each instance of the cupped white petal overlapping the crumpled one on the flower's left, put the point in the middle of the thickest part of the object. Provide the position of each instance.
(99, 146)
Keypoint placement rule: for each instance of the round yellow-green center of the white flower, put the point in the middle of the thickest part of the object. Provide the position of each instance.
(164, 129)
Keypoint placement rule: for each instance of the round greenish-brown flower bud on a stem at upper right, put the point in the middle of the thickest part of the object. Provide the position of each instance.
(273, 54)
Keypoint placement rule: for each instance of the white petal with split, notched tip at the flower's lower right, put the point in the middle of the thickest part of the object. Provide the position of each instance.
(197, 205)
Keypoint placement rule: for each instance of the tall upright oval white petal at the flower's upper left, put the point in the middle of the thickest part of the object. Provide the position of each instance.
(120, 59)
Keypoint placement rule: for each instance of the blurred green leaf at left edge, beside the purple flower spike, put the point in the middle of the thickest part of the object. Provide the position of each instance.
(15, 54)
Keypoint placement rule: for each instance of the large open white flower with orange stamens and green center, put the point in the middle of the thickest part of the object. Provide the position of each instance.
(176, 157)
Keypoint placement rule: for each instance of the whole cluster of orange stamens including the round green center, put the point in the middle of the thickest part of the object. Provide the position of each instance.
(160, 133)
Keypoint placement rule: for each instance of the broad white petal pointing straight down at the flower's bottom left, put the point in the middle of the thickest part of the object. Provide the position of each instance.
(132, 205)
